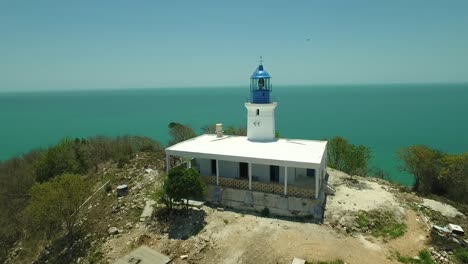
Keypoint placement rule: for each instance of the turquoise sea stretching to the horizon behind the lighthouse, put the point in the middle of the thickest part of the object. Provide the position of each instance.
(384, 117)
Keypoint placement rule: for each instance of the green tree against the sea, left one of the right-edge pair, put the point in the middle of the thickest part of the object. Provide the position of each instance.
(425, 164)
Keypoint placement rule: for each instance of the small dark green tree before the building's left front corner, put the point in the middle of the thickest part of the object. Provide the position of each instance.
(181, 184)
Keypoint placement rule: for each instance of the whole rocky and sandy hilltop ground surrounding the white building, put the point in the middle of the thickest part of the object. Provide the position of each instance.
(112, 227)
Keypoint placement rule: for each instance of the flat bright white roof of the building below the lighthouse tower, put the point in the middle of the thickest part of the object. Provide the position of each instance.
(283, 152)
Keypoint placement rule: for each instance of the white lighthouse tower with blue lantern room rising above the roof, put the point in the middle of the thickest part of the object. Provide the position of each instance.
(260, 108)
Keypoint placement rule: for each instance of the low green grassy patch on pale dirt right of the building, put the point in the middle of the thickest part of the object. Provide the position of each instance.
(380, 223)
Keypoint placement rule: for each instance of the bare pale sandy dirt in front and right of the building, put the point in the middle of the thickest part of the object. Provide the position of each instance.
(236, 237)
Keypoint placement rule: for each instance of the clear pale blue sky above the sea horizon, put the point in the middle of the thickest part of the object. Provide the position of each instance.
(65, 45)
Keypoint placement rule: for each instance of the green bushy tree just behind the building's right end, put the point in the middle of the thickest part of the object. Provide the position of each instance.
(347, 157)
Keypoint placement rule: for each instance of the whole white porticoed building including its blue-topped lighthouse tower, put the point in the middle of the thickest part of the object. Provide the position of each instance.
(259, 171)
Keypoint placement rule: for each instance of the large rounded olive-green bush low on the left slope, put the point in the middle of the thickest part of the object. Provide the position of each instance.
(57, 202)
